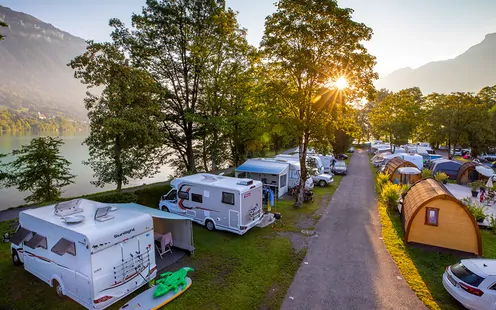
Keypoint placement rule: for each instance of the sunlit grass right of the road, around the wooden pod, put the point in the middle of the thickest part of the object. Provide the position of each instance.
(423, 269)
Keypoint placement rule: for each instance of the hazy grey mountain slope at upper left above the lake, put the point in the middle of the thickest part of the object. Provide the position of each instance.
(34, 74)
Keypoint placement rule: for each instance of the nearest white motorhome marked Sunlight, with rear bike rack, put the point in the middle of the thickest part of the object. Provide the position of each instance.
(91, 252)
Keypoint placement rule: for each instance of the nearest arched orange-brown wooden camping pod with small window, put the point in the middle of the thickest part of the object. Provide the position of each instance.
(432, 216)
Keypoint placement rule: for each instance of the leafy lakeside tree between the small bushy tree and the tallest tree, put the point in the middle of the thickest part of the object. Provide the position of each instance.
(125, 140)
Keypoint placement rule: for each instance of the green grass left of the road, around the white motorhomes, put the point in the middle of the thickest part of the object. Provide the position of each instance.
(252, 271)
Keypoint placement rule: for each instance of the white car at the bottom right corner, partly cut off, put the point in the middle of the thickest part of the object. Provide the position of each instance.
(473, 283)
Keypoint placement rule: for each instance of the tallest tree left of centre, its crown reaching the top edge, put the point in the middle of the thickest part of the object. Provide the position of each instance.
(179, 42)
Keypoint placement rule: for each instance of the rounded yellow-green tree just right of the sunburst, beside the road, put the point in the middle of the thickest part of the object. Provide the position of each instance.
(396, 117)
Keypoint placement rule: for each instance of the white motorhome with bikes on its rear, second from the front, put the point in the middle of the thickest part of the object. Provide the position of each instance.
(218, 202)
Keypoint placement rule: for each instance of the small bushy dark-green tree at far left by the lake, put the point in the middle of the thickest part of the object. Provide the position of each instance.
(40, 169)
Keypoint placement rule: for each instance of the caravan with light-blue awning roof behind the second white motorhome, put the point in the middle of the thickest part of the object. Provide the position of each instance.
(271, 173)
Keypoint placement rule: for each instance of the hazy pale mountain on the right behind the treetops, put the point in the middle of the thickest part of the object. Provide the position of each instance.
(468, 72)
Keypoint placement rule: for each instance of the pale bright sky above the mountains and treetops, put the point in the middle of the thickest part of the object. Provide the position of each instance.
(407, 33)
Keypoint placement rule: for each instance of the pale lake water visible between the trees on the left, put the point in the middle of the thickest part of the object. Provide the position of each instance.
(73, 151)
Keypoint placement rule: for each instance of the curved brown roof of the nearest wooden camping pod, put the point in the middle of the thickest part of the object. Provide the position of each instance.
(422, 193)
